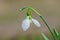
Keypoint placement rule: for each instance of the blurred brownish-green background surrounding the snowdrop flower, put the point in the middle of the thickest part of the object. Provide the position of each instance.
(11, 18)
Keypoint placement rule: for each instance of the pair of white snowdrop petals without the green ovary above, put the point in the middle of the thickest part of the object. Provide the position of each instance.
(27, 21)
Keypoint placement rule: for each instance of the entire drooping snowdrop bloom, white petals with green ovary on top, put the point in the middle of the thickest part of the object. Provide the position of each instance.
(28, 20)
